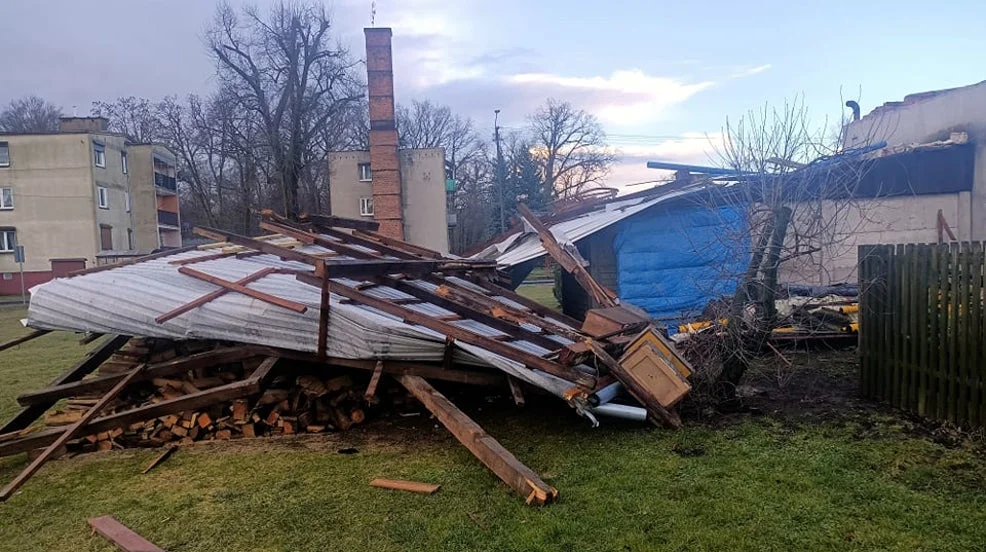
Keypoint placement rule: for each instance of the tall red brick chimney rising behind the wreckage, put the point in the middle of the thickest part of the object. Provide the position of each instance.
(388, 209)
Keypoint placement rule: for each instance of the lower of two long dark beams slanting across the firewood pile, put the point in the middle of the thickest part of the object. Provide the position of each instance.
(194, 401)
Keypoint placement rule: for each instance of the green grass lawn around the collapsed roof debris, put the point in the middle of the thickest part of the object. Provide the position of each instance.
(857, 482)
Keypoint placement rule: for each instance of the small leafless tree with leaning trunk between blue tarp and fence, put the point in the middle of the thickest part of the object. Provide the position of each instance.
(797, 188)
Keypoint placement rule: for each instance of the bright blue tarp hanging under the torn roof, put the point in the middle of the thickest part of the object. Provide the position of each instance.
(672, 261)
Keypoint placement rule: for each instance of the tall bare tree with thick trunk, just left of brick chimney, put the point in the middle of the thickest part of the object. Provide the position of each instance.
(284, 68)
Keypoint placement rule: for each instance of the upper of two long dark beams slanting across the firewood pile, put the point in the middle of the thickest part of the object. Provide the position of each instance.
(163, 369)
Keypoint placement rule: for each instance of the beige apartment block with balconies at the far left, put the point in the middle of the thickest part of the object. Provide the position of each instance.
(80, 197)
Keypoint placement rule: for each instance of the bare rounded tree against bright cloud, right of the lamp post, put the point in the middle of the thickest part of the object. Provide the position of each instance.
(571, 147)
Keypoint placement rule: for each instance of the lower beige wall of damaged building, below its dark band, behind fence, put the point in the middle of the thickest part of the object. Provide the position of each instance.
(877, 221)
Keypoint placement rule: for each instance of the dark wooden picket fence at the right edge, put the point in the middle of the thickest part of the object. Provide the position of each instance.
(921, 329)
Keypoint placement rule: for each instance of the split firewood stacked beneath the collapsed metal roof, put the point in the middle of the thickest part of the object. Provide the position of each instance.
(289, 405)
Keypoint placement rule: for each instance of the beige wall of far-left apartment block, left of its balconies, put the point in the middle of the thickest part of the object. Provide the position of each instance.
(54, 199)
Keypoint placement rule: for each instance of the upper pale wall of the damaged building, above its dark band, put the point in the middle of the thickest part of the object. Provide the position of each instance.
(927, 117)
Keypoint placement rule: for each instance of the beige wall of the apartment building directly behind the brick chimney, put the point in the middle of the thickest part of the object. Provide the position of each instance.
(423, 192)
